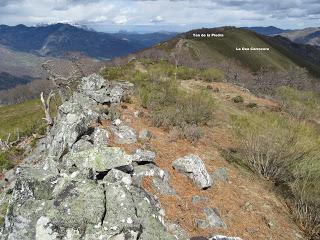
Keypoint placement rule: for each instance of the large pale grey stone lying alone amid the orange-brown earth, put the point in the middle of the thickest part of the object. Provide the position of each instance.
(193, 167)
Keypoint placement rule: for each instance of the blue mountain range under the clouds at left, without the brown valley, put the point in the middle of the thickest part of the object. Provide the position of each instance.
(57, 39)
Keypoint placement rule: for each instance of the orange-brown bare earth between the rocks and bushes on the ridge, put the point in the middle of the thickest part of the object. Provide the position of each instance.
(247, 204)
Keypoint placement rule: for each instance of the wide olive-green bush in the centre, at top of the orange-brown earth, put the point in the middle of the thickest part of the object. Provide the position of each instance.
(170, 106)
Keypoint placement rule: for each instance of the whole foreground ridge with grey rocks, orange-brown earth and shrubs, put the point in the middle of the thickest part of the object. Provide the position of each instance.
(167, 123)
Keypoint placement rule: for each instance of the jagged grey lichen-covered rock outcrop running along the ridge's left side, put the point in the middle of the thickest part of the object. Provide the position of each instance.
(79, 187)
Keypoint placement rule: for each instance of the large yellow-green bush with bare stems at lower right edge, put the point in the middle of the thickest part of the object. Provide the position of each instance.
(286, 151)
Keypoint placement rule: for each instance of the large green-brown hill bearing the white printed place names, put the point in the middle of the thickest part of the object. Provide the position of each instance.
(243, 48)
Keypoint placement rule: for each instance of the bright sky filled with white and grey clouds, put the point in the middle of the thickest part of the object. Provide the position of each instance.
(162, 15)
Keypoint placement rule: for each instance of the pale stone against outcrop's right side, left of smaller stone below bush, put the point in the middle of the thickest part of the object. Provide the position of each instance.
(124, 134)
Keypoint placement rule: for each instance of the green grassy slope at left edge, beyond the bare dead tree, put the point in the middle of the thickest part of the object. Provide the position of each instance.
(22, 116)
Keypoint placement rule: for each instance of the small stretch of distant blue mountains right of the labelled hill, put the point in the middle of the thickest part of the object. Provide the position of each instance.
(309, 36)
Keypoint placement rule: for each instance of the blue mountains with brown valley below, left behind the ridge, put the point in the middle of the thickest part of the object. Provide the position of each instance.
(23, 49)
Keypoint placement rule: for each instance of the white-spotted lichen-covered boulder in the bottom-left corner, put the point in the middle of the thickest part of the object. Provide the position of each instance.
(32, 189)
